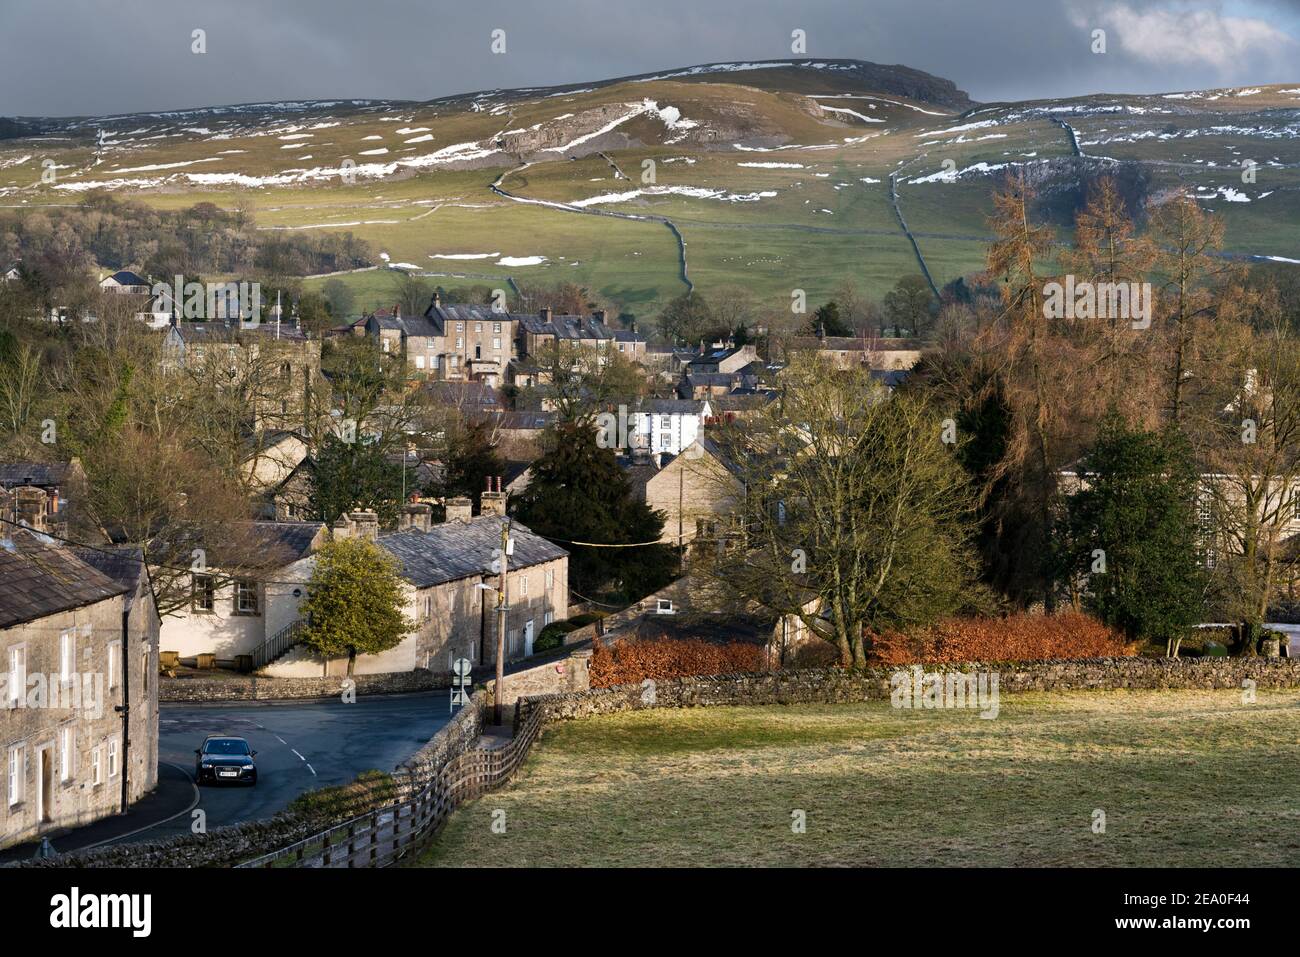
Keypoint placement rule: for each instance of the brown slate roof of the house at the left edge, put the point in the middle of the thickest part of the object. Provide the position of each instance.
(40, 579)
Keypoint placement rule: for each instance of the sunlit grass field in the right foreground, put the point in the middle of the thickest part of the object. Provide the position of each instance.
(1184, 778)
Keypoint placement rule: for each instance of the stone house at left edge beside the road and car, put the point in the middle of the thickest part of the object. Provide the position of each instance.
(79, 633)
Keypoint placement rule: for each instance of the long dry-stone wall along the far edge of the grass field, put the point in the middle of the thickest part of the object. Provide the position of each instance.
(833, 686)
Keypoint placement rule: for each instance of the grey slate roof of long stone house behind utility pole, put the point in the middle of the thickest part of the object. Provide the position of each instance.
(463, 549)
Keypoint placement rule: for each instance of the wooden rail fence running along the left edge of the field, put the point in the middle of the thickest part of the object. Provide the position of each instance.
(382, 837)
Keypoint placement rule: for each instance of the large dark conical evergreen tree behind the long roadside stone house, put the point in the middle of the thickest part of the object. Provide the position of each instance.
(579, 493)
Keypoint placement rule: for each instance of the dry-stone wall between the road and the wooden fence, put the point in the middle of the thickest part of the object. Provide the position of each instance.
(226, 847)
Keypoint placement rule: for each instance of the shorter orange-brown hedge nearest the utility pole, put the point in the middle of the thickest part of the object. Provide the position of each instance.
(631, 662)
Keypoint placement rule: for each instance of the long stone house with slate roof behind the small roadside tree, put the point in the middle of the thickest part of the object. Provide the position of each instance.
(450, 590)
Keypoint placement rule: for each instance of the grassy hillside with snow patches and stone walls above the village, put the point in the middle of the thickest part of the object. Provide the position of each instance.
(768, 175)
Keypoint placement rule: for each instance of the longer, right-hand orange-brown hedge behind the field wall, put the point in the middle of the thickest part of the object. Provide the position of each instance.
(1017, 638)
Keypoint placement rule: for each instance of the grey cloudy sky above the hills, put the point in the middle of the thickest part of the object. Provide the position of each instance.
(75, 58)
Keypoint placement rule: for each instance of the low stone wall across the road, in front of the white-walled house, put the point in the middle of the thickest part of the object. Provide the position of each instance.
(259, 688)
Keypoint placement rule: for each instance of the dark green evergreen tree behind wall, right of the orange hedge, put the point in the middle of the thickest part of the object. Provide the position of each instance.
(1132, 532)
